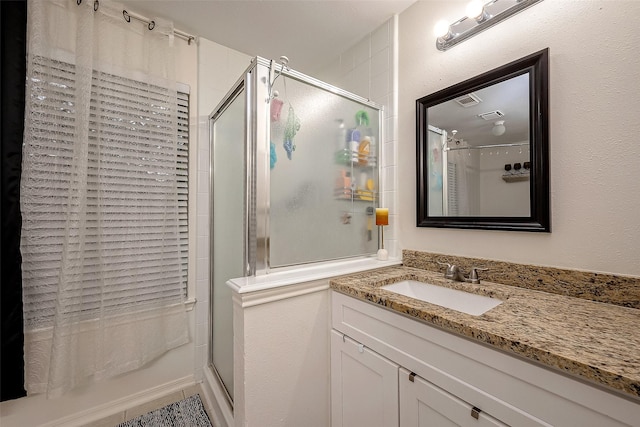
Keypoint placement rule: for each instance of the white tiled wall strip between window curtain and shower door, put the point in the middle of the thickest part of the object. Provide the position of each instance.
(218, 69)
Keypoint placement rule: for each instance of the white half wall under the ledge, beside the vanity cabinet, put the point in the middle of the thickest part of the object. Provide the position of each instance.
(282, 378)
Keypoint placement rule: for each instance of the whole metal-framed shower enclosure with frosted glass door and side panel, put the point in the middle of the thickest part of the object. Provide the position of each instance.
(294, 179)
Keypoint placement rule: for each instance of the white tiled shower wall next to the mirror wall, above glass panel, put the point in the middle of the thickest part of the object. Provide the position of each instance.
(369, 69)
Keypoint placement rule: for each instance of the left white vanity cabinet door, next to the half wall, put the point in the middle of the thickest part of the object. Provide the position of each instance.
(364, 385)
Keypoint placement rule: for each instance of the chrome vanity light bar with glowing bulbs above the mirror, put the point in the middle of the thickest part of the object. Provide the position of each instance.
(480, 15)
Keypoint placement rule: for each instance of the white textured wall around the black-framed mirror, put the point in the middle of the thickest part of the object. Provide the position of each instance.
(594, 127)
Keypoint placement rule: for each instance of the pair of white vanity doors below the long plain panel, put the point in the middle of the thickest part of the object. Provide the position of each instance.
(367, 389)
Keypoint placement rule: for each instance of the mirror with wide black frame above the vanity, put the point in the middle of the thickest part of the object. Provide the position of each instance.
(483, 150)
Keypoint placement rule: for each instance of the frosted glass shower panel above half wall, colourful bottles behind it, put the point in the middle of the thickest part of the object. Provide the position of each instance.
(324, 180)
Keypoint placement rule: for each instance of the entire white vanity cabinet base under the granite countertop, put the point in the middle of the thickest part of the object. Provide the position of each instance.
(456, 379)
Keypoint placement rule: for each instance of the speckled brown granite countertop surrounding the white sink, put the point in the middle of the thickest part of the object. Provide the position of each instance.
(595, 341)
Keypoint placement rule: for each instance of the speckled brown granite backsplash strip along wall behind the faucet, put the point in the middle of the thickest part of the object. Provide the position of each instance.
(607, 288)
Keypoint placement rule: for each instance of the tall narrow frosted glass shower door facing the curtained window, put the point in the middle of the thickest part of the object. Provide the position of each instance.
(228, 247)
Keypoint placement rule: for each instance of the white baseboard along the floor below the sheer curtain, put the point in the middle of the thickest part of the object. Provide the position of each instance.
(96, 413)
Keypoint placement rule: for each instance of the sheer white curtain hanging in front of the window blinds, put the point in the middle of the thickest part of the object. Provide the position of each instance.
(103, 283)
